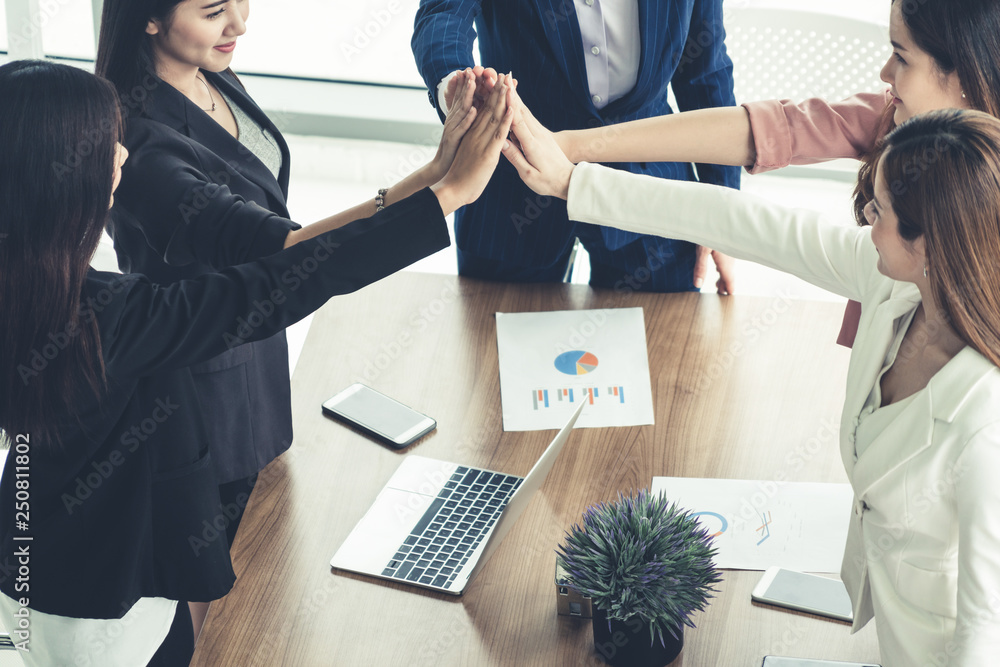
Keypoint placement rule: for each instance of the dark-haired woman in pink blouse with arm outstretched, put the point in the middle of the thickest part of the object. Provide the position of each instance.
(945, 54)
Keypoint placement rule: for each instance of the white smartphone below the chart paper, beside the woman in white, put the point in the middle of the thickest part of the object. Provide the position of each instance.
(804, 592)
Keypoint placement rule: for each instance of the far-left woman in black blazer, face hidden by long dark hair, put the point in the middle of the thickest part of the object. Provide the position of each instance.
(110, 478)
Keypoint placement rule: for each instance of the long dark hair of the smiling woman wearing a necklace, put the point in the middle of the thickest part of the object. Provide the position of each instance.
(125, 52)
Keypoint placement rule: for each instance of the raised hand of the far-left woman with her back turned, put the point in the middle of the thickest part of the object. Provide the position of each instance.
(479, 151)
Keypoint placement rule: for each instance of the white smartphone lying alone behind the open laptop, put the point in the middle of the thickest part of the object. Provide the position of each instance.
(378, 415)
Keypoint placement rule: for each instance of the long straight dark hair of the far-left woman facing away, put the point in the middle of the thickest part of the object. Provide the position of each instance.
(58, 141)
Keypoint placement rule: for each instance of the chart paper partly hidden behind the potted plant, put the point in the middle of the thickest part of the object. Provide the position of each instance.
(762, 523)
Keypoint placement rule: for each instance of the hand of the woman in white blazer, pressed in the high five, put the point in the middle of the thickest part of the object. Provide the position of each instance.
(537, 157)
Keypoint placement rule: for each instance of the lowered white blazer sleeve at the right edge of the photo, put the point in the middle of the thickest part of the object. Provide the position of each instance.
(977, 626)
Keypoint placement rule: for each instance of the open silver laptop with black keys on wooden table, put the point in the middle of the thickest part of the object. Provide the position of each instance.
(435, 524)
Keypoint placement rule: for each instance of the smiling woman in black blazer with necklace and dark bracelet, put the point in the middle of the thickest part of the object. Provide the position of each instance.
(204, 154)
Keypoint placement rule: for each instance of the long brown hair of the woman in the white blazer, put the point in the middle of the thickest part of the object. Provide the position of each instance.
(943, 168)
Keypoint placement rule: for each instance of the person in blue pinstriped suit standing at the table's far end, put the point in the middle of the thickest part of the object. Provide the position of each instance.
(581, 64)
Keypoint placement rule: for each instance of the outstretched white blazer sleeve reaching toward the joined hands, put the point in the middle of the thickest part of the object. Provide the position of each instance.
(835, 257)
